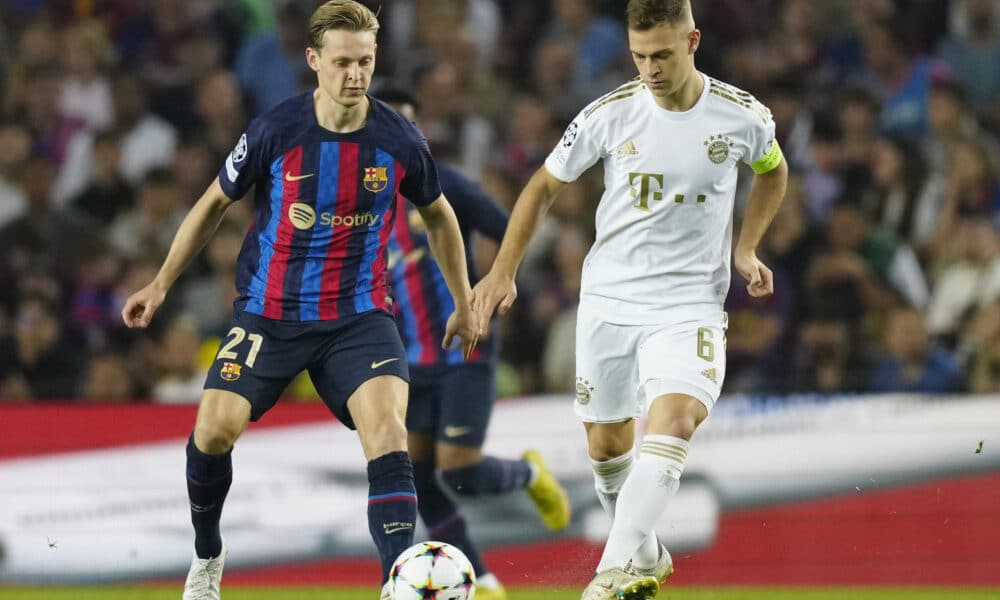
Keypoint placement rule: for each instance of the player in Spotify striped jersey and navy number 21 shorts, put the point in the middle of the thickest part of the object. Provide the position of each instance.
(327, 167)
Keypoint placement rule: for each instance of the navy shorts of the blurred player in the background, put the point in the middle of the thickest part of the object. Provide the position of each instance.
(453, 402)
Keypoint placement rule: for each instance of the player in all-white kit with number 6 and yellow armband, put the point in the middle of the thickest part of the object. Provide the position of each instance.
(651, 326)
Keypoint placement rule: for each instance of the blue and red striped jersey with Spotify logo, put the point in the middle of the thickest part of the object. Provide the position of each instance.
(324, 206)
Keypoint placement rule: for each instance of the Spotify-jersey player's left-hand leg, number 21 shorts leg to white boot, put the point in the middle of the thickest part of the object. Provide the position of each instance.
(250, 370)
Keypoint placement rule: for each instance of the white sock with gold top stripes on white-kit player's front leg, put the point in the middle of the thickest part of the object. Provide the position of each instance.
(652, 482)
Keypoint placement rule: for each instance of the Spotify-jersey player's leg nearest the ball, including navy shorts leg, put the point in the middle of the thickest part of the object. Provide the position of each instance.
(363, 377)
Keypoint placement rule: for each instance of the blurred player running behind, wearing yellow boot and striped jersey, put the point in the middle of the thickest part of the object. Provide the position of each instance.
(451, 400)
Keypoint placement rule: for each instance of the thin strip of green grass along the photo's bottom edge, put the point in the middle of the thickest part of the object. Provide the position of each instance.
(294, 593)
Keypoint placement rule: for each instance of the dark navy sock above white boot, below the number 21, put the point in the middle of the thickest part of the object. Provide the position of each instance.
(208, 477)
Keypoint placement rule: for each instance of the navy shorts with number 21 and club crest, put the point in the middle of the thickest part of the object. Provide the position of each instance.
(259, 358)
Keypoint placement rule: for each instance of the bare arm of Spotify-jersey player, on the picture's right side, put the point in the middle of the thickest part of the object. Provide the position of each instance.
(448, 248)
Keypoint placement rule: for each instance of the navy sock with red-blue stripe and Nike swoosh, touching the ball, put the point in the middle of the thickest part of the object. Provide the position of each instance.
(392, 506)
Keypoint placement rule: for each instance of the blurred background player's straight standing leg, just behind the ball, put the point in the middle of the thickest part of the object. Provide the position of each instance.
(441, 516)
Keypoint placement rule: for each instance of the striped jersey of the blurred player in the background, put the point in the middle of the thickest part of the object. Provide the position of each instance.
(423, 303)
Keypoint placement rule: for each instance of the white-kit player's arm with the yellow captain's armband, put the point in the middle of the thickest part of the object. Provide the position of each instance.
(766, 194)
